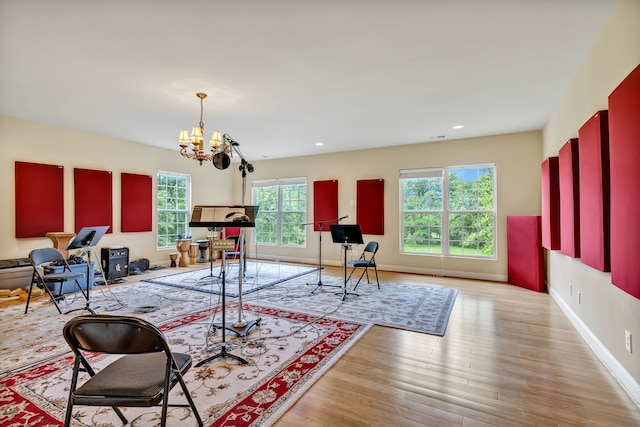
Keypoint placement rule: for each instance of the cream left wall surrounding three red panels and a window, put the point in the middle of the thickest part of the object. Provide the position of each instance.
(37, 143)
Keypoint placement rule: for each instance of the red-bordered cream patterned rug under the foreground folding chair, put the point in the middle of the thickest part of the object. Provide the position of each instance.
(286, 354)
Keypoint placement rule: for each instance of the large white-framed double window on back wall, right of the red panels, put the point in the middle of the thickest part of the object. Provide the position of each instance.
(449, 211)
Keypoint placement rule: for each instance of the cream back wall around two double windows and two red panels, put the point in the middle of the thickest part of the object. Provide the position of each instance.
(517, 158)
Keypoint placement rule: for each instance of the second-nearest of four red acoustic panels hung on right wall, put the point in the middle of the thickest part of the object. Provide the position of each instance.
(593, 142)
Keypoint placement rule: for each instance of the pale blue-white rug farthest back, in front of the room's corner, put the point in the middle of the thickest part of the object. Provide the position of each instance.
(257, 276)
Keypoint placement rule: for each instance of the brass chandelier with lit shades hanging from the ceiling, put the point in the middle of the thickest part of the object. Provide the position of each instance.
(220, 151)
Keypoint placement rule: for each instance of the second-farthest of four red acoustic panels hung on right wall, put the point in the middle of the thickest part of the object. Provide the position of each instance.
(569, 198)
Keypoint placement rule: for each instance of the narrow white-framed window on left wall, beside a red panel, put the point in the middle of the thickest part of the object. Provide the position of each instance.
(174, 202)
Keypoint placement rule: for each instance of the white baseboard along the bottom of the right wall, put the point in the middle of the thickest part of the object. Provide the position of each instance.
(617, 370)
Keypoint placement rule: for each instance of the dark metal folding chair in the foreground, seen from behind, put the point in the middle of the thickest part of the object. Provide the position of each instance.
(143, 377)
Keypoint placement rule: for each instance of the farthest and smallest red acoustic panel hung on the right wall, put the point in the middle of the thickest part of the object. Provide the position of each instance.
(550, 204)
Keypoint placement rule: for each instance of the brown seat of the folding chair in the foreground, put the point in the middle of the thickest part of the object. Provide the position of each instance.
(131, 376)
